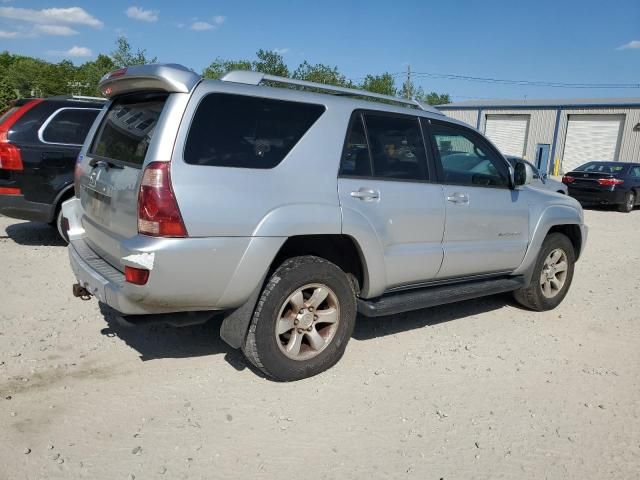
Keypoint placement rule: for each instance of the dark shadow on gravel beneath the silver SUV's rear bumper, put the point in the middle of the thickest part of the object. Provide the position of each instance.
(158, 340)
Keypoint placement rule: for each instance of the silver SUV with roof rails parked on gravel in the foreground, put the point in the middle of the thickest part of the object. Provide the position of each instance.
(290, 210)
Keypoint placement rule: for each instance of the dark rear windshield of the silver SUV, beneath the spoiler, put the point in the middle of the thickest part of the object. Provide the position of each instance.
(127, 129)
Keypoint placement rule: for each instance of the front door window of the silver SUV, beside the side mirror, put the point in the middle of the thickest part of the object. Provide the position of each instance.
(467, 159)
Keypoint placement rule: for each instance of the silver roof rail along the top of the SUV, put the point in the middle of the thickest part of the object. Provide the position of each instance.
(256, 78)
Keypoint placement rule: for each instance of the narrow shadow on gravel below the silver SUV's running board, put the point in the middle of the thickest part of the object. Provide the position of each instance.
(369, 328)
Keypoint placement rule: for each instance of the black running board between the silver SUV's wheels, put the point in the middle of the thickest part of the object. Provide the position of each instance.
(405, 301)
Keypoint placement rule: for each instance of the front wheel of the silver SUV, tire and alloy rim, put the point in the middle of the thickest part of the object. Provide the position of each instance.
(552, 275)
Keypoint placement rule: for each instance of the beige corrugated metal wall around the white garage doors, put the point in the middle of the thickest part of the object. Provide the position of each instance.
(542, 124)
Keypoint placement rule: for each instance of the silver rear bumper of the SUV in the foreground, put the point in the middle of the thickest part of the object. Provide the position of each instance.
(186, 274)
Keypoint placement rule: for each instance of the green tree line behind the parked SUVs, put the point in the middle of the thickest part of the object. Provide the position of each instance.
(22, 76)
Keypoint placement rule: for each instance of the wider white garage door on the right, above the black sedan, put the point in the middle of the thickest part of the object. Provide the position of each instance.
(591, 137)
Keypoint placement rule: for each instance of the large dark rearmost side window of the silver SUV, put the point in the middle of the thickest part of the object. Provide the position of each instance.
(246, 132)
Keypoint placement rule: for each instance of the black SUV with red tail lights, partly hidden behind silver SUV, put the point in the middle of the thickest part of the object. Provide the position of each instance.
(39, 142)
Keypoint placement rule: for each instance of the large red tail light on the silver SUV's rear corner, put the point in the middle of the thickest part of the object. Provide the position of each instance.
(158, 212)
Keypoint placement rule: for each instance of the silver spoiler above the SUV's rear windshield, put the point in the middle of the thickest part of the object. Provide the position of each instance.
(163, 77)
